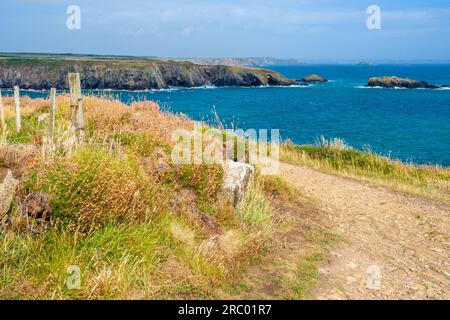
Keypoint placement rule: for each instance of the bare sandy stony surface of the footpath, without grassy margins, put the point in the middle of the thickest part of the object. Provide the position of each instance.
(406, 237)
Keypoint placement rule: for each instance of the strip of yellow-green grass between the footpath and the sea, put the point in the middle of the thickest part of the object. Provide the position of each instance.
(336, 157)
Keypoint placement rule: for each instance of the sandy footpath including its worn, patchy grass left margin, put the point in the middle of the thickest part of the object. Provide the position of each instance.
(406, 237)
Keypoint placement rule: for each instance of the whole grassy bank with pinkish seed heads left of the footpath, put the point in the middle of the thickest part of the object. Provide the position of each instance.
(136, 225)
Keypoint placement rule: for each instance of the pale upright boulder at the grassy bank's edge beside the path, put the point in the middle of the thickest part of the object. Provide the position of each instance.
(238, 177)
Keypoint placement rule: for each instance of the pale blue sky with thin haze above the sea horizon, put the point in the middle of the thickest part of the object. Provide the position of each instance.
(310, 30)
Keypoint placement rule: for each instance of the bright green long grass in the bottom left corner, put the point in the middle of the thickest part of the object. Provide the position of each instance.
(113, 261)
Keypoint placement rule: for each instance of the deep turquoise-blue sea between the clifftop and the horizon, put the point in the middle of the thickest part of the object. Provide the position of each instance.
(411, 125)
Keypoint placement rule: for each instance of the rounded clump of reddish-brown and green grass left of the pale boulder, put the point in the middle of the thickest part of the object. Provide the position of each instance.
(93, 186)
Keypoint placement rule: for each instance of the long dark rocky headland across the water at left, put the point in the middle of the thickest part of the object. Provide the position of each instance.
(129, 74)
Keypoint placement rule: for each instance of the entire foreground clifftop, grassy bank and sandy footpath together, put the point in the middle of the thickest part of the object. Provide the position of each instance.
(144, 227)
